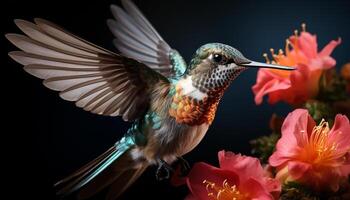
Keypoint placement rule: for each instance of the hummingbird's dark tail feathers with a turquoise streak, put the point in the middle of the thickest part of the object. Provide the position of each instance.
(115, 167)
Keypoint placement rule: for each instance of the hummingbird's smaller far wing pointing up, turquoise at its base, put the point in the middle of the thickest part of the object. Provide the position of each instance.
(136, 38)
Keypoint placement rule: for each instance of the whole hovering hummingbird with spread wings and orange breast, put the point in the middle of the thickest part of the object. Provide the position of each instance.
(169, 102)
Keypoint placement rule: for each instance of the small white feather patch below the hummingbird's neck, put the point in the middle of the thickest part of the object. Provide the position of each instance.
(186, 85)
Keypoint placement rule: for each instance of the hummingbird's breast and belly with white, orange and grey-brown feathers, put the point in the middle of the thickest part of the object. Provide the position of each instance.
(179, 117)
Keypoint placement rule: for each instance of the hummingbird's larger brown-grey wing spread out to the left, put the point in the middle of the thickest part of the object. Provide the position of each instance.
(96, 79)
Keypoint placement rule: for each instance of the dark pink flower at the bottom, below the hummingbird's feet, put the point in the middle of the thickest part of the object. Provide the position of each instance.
(239, 177)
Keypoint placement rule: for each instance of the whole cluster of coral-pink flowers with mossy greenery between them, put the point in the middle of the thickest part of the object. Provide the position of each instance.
(308, 154)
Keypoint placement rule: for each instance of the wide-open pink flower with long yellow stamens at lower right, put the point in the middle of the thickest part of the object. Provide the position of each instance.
(312, 155)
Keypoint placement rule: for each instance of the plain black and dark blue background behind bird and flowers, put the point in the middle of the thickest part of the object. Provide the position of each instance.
(45, 138)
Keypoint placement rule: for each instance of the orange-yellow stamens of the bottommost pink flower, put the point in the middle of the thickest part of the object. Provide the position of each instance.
(224, 191)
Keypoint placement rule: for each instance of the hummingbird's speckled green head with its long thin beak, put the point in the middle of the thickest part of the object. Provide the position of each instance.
(215, 65)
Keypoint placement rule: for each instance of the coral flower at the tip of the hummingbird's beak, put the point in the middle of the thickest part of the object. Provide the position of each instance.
(295, 87)
